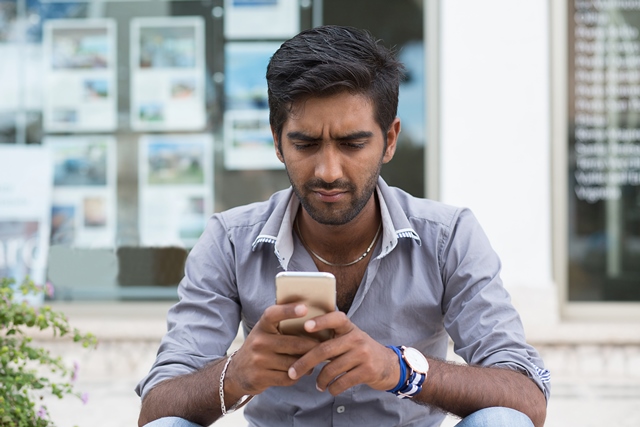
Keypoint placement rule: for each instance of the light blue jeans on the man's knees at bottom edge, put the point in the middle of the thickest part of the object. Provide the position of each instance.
(489, 417)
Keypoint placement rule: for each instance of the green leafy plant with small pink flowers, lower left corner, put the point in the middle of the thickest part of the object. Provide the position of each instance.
(28, 372)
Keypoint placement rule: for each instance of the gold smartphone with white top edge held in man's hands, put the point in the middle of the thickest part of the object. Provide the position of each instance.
(316, 290)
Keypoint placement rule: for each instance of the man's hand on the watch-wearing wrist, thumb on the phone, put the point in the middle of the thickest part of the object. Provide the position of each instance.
(354, 357)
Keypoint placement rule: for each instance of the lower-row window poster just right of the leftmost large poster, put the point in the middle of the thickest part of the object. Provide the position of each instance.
(83, 210)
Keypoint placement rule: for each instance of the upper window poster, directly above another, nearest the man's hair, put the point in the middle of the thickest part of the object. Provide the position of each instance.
(167, 74)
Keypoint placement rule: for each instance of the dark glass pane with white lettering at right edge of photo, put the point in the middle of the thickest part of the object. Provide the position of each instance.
(604, 152)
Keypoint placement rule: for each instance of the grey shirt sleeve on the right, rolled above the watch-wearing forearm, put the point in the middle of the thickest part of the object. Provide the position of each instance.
(478, 315)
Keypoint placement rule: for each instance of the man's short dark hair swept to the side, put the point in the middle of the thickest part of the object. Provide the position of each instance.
(326, 60)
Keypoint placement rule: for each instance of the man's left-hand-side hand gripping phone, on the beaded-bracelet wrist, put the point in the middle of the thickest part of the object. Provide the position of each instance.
(266, 355)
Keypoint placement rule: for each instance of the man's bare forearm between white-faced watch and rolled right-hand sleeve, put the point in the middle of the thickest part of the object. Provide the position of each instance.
(462, 390)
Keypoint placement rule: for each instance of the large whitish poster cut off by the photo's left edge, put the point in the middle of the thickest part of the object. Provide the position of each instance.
(25, 202)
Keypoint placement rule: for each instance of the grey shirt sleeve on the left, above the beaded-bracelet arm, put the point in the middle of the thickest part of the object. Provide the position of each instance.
(204, 323)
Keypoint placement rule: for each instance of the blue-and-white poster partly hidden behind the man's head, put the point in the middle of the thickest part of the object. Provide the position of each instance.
(248, 143)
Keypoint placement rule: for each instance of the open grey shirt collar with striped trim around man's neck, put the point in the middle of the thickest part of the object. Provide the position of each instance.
(278, 230)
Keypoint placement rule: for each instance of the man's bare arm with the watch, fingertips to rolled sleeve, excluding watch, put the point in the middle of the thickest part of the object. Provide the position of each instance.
(355, 358)
